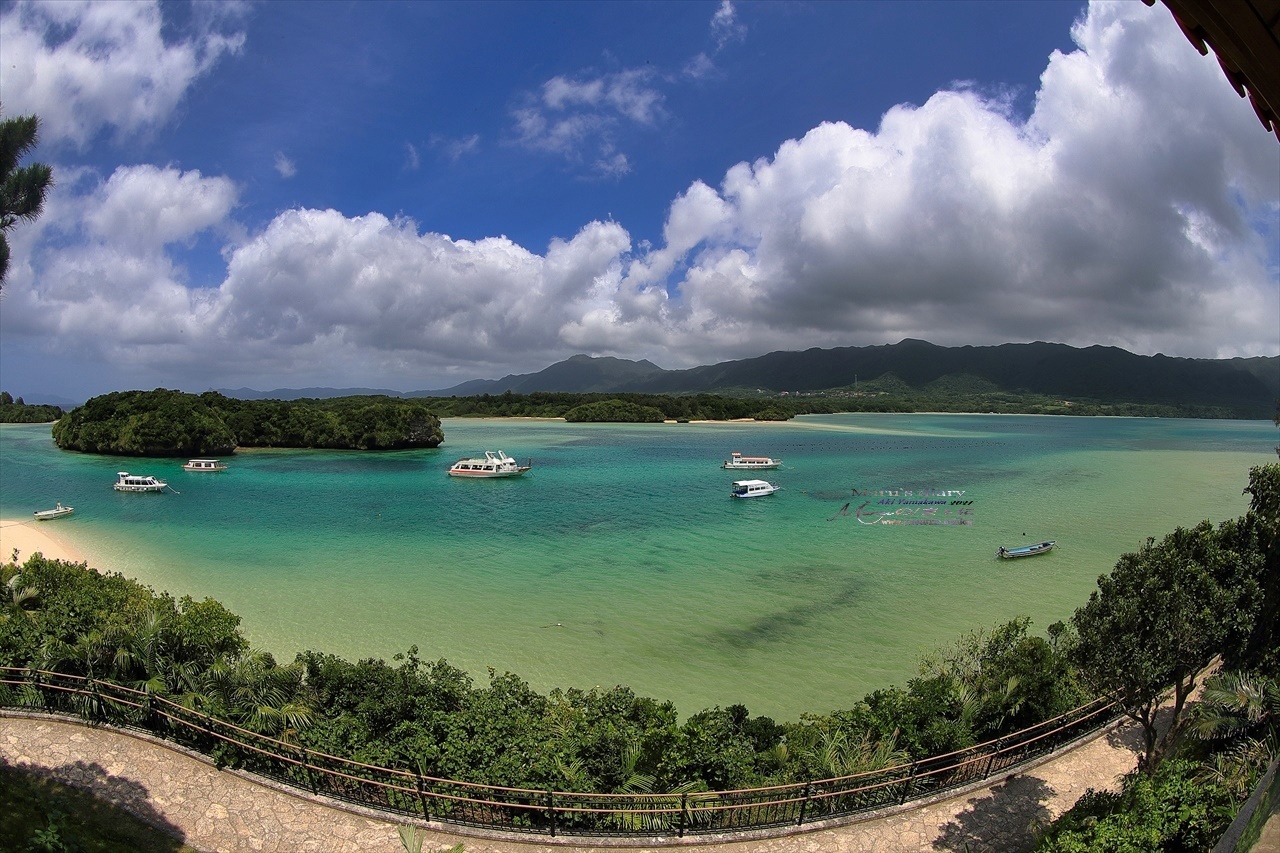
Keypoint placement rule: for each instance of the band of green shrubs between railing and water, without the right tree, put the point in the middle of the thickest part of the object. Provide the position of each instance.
(433, 718)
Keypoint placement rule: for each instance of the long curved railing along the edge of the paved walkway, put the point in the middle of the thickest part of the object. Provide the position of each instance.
(542, 813)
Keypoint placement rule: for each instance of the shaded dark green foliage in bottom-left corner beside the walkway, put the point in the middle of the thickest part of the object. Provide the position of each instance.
(38, 814)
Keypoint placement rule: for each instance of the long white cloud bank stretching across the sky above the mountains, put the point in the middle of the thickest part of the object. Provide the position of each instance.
(1136, 207)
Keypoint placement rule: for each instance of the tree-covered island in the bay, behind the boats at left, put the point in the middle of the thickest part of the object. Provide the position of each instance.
(171, 423)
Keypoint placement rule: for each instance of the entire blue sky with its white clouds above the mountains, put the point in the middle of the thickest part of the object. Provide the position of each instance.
(410, 195)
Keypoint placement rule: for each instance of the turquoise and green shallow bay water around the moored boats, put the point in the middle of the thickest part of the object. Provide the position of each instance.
(621, 559)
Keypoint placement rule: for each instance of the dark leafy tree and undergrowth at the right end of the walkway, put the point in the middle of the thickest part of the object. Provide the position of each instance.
(1149, 630)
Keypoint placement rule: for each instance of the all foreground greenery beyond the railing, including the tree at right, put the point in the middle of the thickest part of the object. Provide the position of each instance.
(1148, 631)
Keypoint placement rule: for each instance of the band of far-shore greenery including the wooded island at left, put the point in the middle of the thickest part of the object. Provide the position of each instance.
(171, 425)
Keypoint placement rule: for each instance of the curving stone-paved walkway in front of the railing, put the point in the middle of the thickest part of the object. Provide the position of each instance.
(223, 811)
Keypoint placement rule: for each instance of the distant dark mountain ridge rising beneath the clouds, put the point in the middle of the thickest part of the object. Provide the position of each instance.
(1055, 370)
